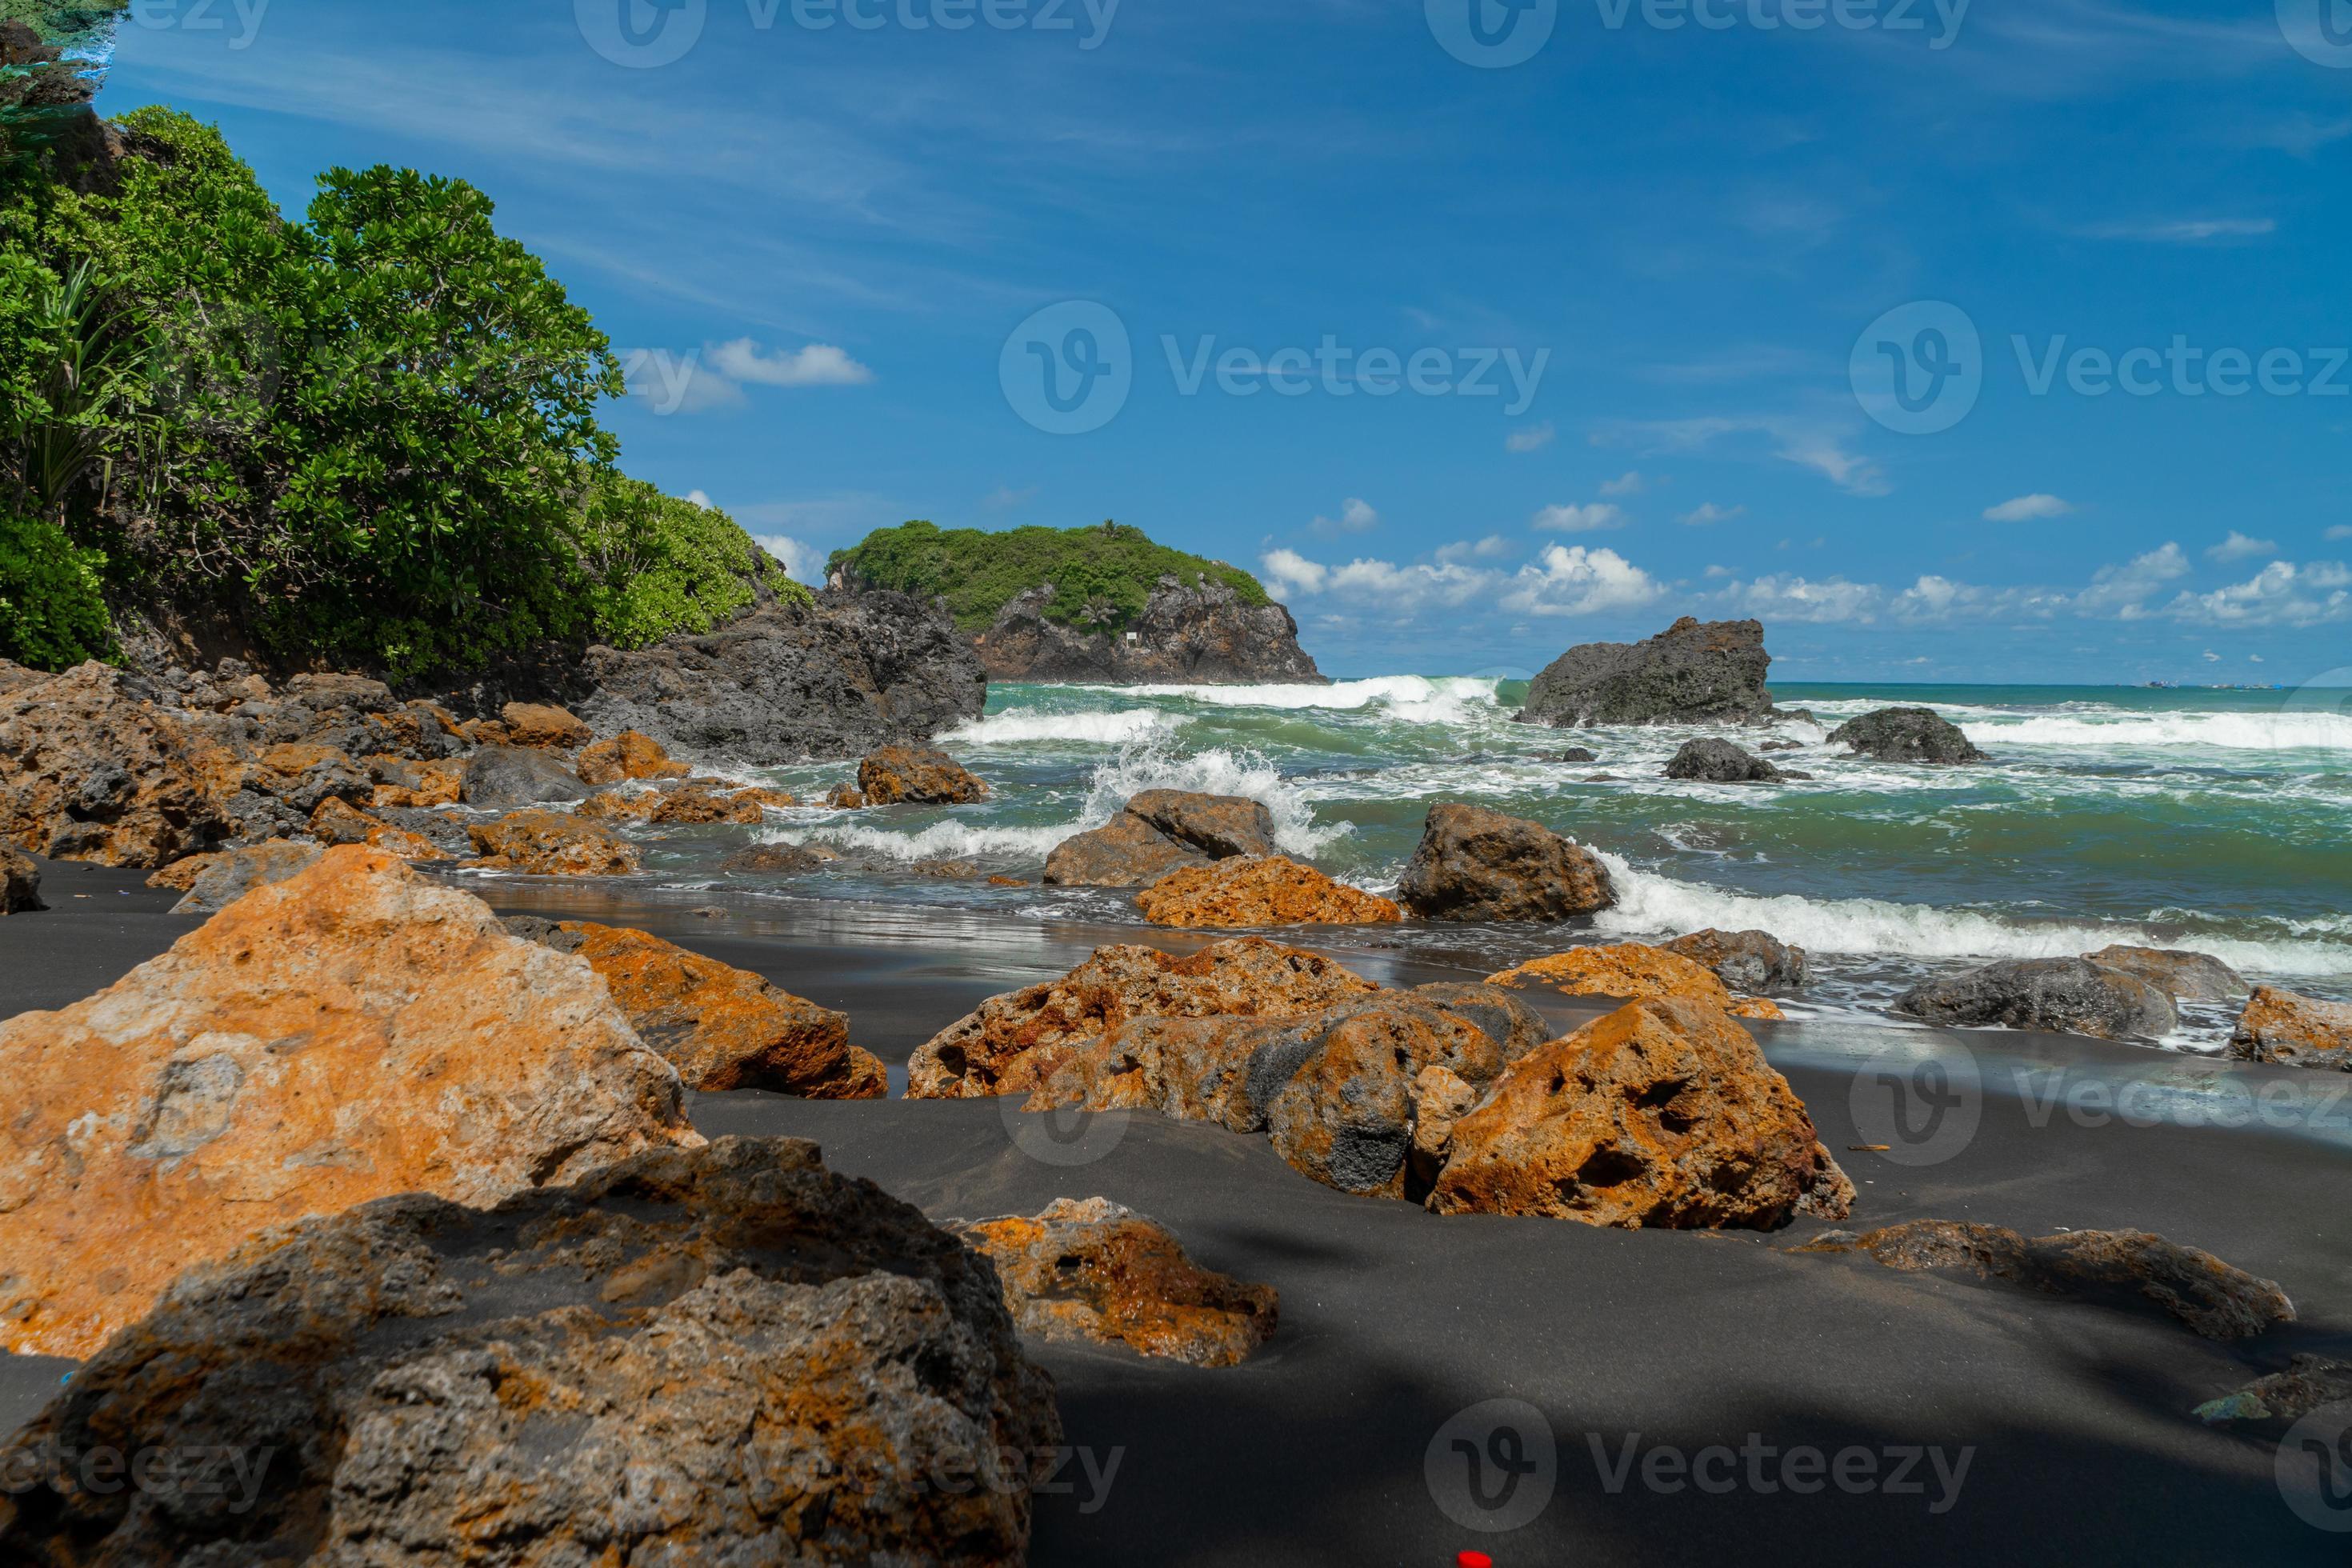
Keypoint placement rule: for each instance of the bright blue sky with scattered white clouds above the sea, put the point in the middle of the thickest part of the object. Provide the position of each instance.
(1659, 283)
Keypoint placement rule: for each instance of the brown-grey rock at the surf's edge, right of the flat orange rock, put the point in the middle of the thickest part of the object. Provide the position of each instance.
(1478, 864)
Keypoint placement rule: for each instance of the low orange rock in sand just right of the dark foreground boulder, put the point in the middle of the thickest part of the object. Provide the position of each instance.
(1093, 1273)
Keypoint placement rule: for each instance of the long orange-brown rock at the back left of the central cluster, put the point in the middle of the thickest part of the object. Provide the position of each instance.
(984, 1054)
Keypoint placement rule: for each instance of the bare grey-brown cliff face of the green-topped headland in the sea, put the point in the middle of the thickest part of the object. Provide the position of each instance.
(1189, 634)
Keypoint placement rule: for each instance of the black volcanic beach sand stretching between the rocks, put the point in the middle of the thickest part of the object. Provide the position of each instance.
(2073, 1419)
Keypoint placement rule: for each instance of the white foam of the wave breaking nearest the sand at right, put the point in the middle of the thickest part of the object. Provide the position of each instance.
(1871, 927)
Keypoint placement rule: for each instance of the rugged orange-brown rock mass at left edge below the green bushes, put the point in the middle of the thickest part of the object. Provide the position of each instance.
(93, 772)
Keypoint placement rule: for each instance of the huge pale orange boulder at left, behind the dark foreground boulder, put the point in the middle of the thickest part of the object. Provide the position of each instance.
(328, 1040)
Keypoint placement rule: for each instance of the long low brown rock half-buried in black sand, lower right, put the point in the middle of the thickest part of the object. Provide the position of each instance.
(2092, 1266)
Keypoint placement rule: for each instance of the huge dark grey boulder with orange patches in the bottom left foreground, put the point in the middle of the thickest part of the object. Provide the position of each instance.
(719, 1355)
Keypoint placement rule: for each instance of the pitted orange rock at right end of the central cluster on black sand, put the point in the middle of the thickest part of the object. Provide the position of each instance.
(1662, 1115)
